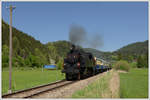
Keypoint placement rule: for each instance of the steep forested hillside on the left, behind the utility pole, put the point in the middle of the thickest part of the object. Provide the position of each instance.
(29, 52)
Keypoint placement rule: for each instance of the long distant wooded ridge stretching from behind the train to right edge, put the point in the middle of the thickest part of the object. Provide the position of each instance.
(131, 51)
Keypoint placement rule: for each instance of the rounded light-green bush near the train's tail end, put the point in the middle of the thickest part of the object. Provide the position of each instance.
(122, 65)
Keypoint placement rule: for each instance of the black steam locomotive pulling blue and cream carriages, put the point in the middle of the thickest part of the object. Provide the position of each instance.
(80, 64)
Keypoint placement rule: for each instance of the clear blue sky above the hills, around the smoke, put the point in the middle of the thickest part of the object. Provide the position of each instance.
(118, 23)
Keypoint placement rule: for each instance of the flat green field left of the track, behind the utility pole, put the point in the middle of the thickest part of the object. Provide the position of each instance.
(22, 79)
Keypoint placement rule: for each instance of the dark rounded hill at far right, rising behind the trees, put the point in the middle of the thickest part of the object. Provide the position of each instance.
(137, 48)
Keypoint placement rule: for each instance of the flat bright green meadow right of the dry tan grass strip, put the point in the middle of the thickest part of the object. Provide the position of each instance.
(134, 84)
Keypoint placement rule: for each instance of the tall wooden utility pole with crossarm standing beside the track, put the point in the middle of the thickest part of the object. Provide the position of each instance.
(10, 48)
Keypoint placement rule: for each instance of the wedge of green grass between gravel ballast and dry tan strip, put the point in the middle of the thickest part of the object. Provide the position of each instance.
(94, 90)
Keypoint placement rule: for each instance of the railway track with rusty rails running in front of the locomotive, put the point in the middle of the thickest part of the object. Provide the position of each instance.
(31, 92)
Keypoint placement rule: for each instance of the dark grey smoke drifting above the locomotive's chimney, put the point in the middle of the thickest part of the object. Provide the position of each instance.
(79, 36)
